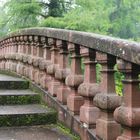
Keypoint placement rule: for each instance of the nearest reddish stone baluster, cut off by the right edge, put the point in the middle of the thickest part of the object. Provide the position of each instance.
(128, 114)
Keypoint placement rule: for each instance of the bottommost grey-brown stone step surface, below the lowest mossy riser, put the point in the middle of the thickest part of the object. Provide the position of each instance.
(32, 133)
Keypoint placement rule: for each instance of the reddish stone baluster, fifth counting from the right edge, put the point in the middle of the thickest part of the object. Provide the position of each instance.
(62, 72)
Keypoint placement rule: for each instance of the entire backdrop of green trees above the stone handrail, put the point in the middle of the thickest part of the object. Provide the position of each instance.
(119, 18)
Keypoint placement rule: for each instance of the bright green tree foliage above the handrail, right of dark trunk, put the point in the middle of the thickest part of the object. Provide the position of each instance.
(118, 18)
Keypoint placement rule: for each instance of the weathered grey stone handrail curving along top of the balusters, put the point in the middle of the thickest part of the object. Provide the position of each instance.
(124, 49)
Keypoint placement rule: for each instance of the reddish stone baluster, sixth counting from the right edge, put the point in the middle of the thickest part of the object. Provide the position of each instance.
(53, 84)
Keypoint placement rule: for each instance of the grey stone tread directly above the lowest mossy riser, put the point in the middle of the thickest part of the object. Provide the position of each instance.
(23, 109)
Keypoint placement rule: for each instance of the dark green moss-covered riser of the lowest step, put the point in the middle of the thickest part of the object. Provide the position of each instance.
(26, 120)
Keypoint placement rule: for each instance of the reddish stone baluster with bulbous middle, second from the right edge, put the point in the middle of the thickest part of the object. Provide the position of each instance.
(107, 100)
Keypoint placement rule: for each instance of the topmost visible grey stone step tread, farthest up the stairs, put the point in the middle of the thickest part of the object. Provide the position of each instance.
(9, 78)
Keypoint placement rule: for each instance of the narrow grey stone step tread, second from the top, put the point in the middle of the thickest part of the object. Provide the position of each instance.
(17, 92)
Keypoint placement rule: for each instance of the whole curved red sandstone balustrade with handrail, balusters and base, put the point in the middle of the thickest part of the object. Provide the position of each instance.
(54, 59)
